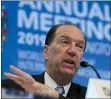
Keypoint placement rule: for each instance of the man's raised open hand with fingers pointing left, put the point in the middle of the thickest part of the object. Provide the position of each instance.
(30, 85)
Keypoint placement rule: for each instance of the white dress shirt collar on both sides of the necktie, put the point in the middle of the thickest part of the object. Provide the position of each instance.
(52, 84)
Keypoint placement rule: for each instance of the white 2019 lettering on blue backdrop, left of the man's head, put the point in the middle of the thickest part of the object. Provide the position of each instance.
(31, 39)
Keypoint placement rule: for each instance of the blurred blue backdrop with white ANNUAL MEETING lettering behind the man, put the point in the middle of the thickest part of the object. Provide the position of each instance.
(24, 26)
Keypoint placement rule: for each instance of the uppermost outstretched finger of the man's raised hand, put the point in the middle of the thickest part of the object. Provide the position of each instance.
(24, 76)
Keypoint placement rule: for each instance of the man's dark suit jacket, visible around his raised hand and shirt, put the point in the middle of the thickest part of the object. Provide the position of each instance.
(75, 92)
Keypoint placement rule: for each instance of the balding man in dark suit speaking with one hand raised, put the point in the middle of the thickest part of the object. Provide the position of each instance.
(63, 50)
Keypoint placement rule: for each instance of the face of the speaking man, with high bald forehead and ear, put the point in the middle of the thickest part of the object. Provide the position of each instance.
(64, 54)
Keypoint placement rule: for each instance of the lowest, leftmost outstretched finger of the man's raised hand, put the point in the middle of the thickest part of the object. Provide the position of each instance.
(14, 78)
